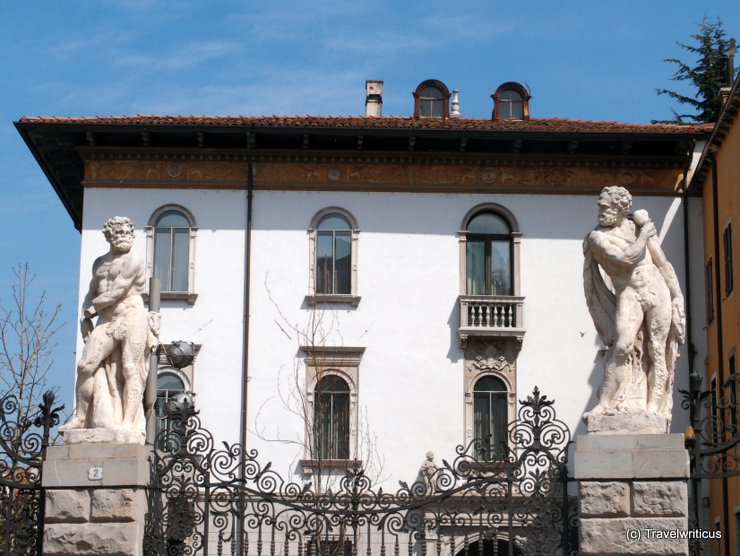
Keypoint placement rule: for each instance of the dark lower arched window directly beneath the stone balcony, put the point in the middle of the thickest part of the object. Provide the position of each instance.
(490, 417)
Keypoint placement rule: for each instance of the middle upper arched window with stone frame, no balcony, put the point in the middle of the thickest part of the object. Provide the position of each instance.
(333, 250)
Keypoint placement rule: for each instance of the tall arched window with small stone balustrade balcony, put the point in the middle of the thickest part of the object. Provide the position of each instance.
(490, 304)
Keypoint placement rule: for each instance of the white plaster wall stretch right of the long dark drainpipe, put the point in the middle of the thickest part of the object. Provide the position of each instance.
(411, 376)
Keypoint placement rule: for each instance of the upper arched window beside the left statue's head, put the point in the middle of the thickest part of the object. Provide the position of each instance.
(171, 246)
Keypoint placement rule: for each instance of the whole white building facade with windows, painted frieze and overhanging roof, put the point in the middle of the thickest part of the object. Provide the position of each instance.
(373, 288)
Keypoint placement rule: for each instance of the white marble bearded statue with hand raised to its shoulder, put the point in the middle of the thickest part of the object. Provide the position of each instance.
(636, 303)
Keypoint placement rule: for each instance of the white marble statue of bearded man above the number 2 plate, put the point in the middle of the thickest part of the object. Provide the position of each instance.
(112, 371)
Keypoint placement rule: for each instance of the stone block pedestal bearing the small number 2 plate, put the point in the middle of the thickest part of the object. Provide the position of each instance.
(95, 499)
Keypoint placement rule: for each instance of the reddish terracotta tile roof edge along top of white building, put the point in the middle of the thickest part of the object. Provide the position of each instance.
(554, 125)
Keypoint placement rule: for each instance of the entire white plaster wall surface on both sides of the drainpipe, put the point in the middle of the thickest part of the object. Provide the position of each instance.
(410, 394)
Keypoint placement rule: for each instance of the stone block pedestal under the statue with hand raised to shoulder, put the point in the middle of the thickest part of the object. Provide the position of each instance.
(633, 497)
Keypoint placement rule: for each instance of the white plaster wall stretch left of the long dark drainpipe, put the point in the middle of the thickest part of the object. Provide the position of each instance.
(215, 320)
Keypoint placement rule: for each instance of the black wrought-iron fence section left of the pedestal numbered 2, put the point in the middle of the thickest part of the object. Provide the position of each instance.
(23, 443)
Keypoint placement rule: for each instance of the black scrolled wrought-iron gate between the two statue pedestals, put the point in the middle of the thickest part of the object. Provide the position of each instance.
(221, 500)
